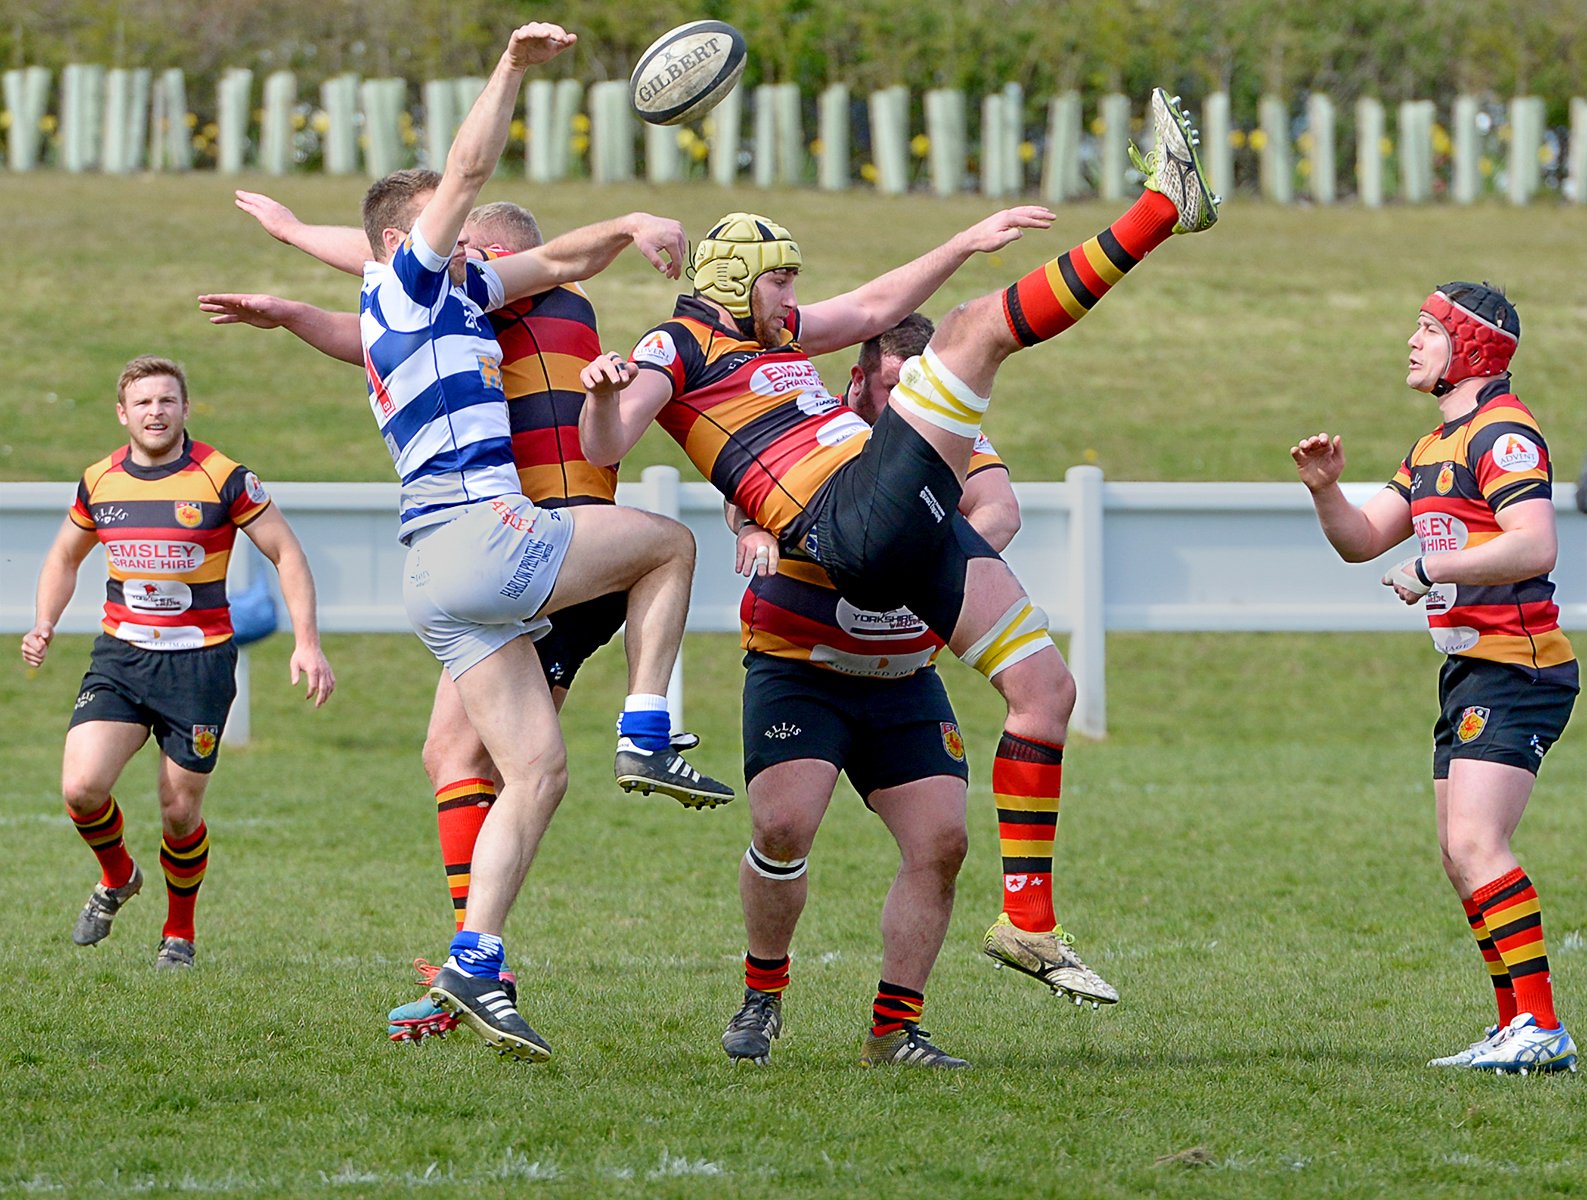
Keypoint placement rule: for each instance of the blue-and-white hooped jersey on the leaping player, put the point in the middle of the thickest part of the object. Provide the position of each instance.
(436, 382)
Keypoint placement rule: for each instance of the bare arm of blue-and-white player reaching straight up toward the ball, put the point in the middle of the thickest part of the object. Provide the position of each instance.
(483, 136)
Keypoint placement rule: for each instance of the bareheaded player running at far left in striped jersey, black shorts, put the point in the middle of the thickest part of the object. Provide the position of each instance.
(167, 510)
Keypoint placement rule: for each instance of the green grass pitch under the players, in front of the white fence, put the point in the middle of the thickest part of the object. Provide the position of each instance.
(1255, 867)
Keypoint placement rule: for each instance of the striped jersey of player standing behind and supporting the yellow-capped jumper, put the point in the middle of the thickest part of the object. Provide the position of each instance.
(799, 615)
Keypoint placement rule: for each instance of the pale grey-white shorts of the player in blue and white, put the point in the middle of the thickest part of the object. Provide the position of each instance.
(475, 583)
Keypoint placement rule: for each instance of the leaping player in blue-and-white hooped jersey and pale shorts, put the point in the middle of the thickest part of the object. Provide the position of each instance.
(486, 567)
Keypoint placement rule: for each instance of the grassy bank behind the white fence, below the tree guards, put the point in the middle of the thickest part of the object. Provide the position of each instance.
(1205, 364)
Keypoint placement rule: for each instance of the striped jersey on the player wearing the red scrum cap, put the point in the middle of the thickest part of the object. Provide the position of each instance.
(1458, 480)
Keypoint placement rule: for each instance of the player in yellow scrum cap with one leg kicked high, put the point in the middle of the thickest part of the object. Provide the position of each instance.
(731, 379)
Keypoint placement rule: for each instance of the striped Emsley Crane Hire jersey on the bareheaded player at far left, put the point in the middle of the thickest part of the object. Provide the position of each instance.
(167, 534)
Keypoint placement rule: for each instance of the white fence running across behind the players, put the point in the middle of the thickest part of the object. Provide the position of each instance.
(1097, 556)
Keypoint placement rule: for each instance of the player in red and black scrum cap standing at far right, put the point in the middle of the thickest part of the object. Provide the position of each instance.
(1478, 496)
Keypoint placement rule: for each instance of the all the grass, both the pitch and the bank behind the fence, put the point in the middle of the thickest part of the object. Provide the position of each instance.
(1250, 856)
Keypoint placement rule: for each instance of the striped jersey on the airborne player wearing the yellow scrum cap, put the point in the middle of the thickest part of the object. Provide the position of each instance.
(758, 423)
